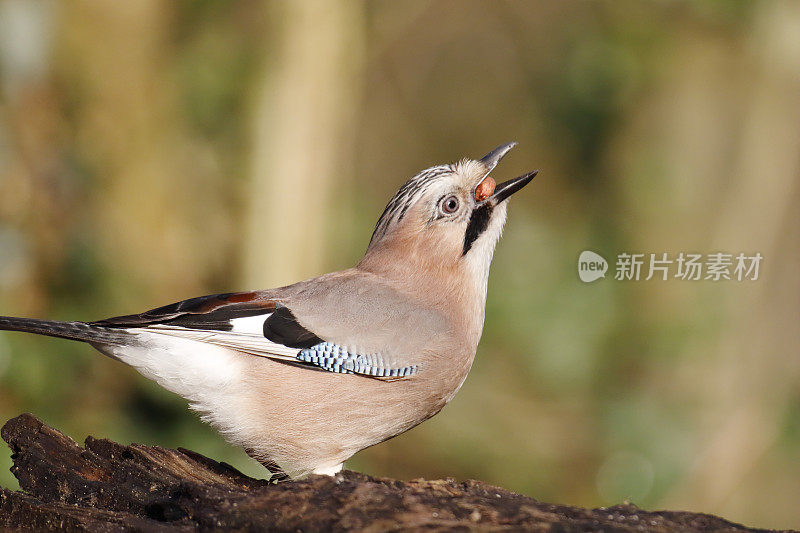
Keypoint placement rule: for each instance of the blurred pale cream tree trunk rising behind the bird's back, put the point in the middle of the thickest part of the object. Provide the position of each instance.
(303, 134)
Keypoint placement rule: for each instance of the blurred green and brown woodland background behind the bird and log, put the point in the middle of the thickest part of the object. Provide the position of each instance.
(154, 151)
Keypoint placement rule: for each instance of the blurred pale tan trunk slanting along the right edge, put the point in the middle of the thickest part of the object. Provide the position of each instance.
(744, 423)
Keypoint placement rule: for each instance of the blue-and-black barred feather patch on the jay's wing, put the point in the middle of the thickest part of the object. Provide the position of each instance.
(335, 358)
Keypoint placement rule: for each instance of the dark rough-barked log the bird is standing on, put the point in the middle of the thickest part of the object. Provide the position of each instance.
(106, 486)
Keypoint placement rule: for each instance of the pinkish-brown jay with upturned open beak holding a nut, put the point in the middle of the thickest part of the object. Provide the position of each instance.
(306, 375)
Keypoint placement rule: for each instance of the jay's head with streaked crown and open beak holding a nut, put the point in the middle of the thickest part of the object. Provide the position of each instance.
(446, 219)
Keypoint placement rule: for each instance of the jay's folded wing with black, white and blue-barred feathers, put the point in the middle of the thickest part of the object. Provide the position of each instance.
(252, 323)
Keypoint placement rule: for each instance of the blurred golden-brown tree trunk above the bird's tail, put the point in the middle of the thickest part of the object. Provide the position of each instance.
(127, 127)
